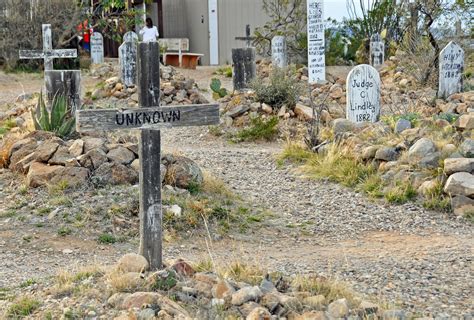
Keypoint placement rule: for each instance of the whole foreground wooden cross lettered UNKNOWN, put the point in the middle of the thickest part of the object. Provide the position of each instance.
(150, 117)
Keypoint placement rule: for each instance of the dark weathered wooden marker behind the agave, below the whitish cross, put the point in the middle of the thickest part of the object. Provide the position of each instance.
(64, 82)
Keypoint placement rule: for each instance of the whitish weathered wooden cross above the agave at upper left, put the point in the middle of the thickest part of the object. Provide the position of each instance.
(48, 54)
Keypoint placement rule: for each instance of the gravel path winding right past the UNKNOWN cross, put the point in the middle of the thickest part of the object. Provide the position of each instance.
(403, 254)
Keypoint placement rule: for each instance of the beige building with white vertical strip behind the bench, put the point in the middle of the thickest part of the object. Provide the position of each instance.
(210, 25)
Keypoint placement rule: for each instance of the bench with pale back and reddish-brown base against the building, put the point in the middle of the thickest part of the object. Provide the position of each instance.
(175, 56)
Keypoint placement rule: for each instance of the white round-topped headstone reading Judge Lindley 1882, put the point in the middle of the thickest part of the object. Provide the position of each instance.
(363, 94)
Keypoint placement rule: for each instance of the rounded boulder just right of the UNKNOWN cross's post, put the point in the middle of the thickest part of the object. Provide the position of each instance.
(182, 172)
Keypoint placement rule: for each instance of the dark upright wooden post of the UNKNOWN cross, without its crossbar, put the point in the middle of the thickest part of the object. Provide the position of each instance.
(150, 157)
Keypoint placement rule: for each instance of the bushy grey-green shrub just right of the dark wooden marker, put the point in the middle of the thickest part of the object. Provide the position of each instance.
(281, 90)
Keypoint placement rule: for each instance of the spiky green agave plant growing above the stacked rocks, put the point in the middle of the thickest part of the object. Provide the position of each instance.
(59, 120)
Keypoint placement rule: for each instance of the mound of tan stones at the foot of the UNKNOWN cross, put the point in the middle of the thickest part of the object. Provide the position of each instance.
(205, 295)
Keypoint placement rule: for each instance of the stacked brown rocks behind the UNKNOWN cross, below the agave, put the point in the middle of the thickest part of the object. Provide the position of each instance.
(47, 159)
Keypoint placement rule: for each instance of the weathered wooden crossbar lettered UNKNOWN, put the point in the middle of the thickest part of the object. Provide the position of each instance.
(147, 118)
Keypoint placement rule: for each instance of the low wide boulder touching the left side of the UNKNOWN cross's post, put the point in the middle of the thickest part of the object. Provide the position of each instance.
(114, 173)
